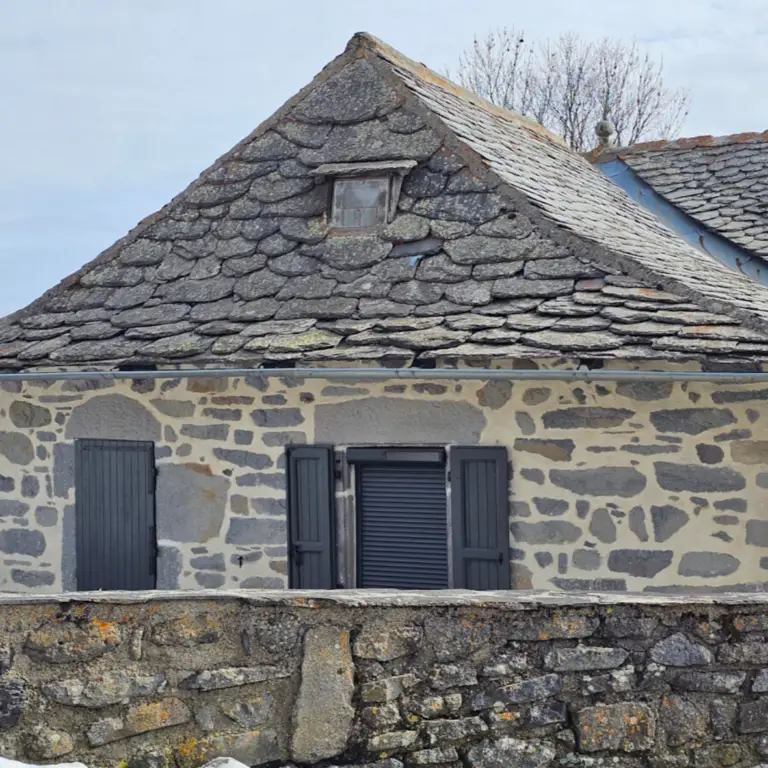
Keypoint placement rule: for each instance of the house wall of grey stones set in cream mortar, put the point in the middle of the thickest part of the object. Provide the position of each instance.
(614, 486)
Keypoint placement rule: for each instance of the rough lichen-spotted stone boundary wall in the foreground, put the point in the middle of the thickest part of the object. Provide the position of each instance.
(388, 679)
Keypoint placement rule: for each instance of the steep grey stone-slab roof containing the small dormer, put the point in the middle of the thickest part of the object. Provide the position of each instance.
(506, 244)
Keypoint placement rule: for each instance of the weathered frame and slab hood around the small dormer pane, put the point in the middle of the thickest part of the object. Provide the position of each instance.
(391, 171)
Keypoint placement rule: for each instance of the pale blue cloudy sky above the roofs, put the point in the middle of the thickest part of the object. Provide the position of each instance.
(109, 109)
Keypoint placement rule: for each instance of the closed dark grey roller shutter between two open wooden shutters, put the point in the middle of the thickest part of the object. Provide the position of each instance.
(403, 523)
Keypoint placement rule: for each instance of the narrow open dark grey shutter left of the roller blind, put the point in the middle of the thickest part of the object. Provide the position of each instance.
(311, 517)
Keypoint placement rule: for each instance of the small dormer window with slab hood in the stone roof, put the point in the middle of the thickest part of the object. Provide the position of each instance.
(365, 195)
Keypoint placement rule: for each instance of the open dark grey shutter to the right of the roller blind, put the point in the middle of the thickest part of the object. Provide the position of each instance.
(480, 516)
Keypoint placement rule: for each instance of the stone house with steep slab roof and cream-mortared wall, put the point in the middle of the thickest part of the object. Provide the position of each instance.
(396, 337)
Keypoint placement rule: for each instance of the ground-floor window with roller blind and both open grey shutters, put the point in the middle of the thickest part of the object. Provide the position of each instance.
(422, 518)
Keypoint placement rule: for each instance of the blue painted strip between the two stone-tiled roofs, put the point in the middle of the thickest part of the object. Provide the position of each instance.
(720, 248)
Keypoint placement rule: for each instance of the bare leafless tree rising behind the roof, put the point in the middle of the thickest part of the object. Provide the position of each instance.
(569, 85)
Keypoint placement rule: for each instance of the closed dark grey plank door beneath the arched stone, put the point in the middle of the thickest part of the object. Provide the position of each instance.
(115, 514)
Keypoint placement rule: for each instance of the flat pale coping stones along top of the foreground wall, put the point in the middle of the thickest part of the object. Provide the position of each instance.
(517, 600)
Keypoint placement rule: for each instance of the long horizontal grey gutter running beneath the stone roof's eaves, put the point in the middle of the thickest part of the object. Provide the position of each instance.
(374, 374)
